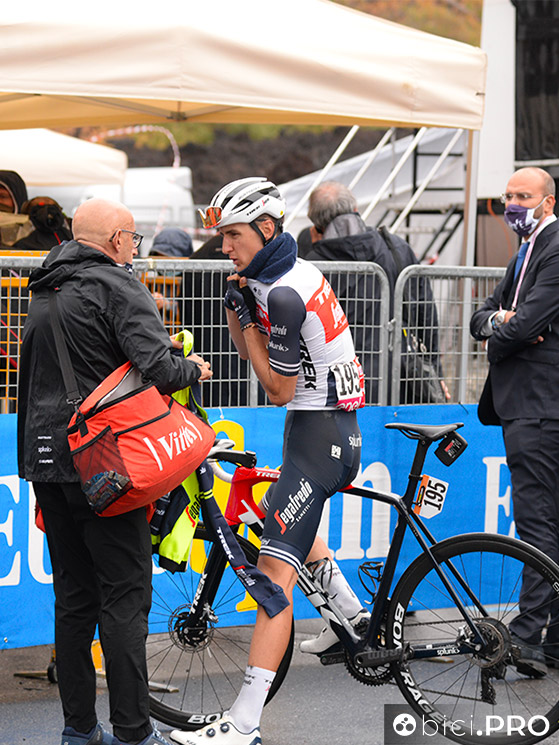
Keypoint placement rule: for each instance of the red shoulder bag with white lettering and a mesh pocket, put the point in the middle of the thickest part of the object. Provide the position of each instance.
(131, 444)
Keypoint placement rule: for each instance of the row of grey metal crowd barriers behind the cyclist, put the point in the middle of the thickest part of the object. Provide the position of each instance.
(189, 294)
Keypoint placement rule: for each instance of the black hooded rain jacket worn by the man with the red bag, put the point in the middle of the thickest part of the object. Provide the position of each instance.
(107, 317)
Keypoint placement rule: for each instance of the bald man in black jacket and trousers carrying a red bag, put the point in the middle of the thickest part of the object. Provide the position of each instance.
(101, 565)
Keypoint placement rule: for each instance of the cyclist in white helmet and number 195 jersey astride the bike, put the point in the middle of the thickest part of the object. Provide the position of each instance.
(284, 317)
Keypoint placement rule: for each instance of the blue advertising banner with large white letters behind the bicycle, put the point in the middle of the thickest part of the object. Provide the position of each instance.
(356, 530)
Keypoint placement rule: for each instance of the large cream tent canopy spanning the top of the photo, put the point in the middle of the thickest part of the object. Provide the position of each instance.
(305, 61)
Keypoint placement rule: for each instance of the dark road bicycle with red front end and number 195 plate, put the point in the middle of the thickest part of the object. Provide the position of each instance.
(452, 605)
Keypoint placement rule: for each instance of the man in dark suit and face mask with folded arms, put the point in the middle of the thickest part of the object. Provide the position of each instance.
(519, 326)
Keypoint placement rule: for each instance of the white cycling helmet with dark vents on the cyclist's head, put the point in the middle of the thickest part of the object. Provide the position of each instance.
(244, 200)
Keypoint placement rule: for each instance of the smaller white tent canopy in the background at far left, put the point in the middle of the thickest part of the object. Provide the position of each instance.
(42, 157)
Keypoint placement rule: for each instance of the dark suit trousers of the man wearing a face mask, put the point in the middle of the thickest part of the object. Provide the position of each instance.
(532, 447)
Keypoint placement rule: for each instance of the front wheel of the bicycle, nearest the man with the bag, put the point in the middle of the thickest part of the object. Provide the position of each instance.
(191, 686)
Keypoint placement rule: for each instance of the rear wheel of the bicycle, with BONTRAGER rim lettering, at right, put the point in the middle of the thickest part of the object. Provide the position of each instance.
(455, 694)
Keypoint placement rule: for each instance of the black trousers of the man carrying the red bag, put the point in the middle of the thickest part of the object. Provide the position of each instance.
(102, 576)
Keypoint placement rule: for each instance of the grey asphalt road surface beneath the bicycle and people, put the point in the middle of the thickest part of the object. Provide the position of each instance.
(316, 704)
